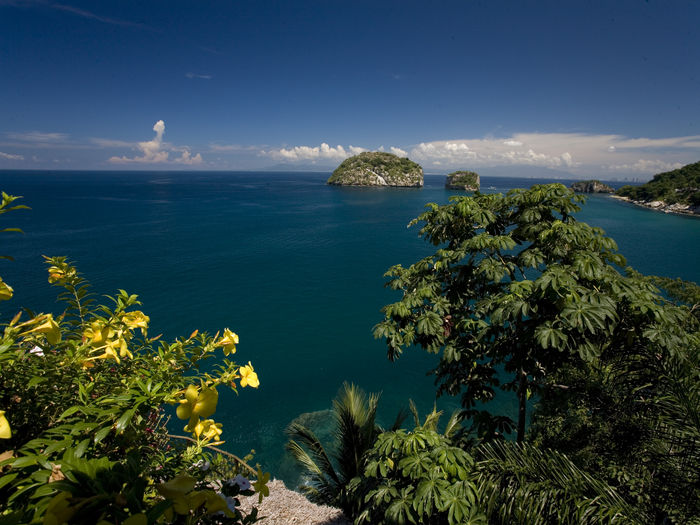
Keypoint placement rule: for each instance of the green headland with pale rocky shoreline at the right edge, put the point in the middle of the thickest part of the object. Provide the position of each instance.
(676, 191)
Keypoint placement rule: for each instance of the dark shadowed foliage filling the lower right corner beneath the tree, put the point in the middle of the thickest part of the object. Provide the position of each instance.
(635, 419)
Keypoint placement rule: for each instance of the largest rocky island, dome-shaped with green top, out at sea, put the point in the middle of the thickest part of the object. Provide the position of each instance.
(377, 168)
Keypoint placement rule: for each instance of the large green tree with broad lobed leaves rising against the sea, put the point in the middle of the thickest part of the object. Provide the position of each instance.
(516, 290)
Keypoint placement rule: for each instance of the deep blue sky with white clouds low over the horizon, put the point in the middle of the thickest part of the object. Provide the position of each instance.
(604, 88)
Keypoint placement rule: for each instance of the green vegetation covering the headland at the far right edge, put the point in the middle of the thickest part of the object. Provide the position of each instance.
(681, 185)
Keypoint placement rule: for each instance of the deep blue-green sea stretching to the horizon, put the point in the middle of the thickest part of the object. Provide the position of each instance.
(290, 264)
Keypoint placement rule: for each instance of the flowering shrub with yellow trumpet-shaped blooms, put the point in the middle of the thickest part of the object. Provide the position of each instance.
(83, 434)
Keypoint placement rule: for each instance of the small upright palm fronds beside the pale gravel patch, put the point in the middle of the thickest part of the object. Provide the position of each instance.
(330, 472)
